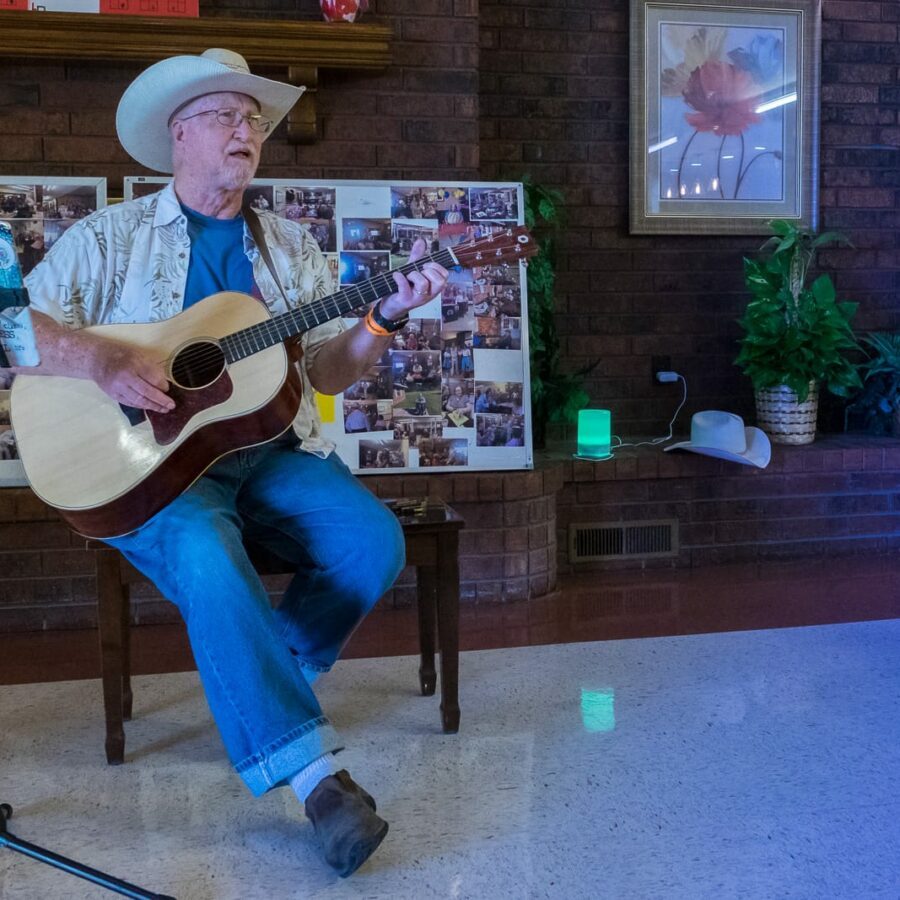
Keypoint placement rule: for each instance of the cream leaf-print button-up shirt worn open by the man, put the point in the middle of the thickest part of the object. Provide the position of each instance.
(129, 263)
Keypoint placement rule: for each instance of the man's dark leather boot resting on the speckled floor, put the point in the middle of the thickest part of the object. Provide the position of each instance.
(346, 825)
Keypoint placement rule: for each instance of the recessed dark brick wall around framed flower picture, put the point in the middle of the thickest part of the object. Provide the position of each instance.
(554, 103)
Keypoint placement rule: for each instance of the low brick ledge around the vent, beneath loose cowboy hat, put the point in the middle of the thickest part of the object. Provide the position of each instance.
(837, 497)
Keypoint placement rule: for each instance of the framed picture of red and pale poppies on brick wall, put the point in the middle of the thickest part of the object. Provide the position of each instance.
(724, 115)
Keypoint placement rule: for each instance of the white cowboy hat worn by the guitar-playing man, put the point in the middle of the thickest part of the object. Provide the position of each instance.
(142, 119)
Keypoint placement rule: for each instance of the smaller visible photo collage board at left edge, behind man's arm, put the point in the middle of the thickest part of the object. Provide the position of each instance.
(38, 210)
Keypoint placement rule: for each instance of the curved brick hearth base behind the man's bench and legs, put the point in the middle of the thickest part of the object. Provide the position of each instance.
(507, 549)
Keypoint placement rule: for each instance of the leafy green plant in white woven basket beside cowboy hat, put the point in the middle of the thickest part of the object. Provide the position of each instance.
(797, 336)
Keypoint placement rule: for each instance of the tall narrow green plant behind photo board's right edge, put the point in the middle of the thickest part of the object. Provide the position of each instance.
(556, 396)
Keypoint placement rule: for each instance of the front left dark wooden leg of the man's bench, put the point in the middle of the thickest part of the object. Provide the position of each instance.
(110, 603)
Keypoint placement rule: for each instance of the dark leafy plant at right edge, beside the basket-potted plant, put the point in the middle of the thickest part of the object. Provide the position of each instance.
(876, 408)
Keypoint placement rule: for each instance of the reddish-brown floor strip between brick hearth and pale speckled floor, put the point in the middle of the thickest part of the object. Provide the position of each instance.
(594, 606)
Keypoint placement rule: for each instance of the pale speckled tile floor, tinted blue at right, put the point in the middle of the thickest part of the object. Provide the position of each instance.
(753, 764)
